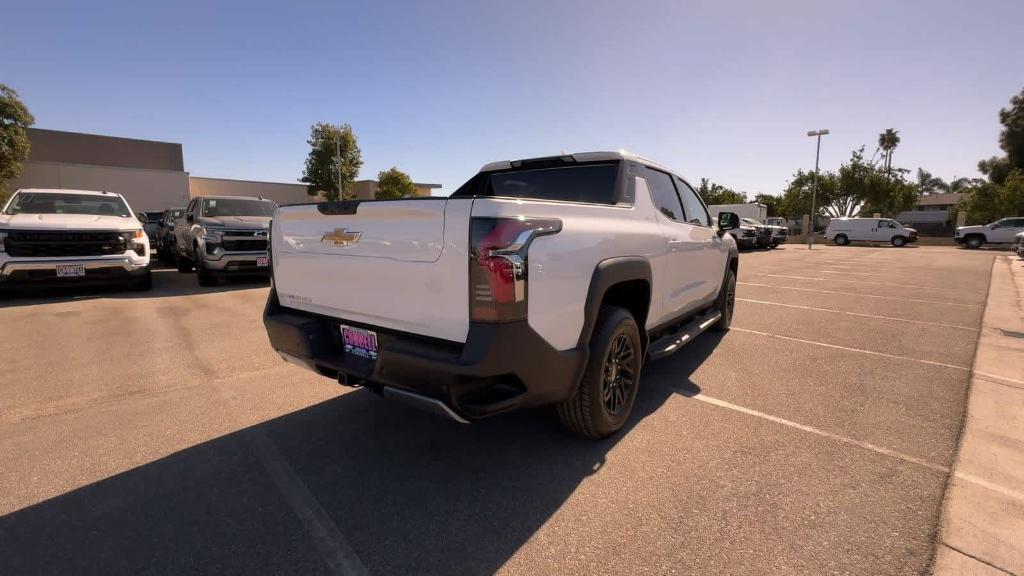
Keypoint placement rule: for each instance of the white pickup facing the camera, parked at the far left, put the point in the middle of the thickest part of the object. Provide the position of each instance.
(68, 237)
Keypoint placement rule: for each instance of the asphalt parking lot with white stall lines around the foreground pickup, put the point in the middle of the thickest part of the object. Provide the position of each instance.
(157, 433)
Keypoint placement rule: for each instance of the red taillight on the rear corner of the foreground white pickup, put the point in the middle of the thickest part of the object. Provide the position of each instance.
(498, 266)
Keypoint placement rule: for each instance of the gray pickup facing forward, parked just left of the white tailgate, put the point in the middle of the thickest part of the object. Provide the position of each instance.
(224, 235)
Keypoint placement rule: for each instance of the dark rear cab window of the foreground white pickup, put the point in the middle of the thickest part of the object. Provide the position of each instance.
(594, 184)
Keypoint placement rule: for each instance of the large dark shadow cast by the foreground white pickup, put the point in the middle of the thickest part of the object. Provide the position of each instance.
(412, 495)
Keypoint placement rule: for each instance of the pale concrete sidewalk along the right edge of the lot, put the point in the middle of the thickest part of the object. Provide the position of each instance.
(983, 528)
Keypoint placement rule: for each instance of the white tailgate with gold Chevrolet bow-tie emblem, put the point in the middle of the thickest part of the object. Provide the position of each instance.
(401, 265)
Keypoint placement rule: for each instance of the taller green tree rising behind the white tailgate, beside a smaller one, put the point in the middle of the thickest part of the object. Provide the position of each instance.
(323, 166)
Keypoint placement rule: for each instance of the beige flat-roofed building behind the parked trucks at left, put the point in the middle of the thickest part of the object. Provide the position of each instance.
(150, 175)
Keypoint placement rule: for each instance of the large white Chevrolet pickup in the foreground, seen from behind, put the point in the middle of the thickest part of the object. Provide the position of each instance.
(538, 282)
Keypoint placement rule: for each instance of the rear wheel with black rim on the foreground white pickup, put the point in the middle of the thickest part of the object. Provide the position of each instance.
(604, 401)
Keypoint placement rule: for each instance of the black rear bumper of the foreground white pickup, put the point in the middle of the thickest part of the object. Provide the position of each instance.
(501, 367)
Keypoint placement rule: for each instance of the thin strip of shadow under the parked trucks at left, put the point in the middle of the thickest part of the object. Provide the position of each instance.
(166, 282)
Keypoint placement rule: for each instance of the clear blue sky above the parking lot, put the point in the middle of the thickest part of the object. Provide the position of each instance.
(726, 91)
